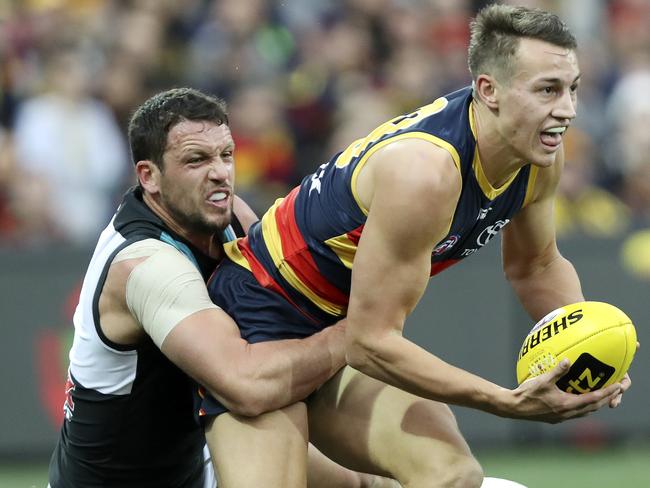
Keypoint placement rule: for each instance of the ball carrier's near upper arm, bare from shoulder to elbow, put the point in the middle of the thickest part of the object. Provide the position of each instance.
(415, 189)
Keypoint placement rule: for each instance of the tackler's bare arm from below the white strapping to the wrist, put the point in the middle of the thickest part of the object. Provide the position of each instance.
(250, 379)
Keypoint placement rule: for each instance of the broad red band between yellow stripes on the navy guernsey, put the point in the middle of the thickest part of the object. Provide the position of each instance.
(297, 255)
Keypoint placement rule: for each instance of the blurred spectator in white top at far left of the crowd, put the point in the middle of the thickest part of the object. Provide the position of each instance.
(70, 143)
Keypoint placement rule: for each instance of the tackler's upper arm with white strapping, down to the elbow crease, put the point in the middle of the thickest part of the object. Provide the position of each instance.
(168, 297)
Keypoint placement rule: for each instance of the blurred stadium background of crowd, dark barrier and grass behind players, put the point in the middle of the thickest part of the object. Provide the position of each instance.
(303, 78)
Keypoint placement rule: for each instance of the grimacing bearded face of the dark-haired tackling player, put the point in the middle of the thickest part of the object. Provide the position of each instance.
(197, 181)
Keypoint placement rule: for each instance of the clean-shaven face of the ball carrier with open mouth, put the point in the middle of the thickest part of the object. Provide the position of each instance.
(539, 102)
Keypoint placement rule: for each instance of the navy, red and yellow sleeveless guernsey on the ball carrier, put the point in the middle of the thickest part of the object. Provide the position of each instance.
(304, 246)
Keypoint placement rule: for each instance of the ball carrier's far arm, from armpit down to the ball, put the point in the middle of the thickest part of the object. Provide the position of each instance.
(541, 277)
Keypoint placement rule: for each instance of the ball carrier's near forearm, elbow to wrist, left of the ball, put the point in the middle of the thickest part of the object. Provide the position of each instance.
(397, 361)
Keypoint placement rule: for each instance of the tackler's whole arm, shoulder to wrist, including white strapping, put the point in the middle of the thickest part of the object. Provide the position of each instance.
(152, 288)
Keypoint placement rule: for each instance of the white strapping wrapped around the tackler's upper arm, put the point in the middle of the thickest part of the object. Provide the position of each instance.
(163, 289)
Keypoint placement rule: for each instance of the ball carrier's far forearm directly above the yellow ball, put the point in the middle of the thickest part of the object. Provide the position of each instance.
(547, 287)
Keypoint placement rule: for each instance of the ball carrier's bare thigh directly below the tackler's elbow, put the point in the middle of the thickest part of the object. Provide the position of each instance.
(269, 450)
